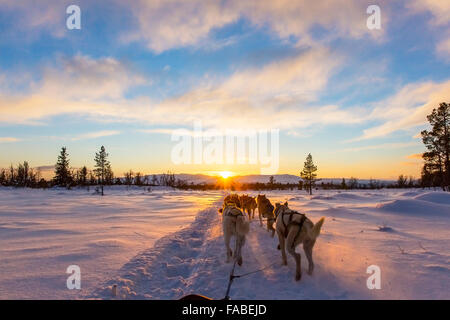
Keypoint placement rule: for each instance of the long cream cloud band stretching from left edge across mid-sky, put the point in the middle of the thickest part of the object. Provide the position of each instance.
(281, 94)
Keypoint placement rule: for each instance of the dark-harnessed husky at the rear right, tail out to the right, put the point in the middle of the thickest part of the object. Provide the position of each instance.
(294, 228)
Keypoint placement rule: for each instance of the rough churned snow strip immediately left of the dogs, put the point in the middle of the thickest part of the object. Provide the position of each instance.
(163, 271)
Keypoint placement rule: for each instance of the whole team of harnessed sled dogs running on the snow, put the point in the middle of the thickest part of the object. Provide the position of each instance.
(292, 227)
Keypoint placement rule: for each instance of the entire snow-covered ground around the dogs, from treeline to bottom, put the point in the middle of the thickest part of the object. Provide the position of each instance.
(165, 244)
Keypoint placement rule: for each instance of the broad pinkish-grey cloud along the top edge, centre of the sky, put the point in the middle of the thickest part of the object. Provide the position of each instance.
(160, 22)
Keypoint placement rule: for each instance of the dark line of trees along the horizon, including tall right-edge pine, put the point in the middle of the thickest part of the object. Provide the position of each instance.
(435, 171)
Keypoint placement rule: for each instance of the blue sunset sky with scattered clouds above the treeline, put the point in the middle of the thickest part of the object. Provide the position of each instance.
(355, 98)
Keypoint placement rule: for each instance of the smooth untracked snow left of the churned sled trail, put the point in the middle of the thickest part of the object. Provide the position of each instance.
(42, 232)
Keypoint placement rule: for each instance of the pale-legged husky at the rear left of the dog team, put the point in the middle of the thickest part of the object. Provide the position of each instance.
(234, 224)
